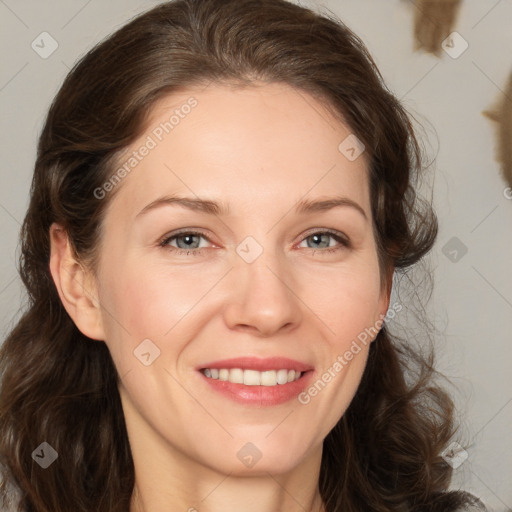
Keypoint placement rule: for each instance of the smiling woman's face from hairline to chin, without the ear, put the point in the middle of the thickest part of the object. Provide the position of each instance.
(248, 270)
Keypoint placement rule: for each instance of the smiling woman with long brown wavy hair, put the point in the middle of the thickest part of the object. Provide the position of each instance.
(187, 345)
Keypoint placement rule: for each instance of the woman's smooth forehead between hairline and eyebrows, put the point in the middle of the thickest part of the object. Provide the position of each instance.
(261, 144)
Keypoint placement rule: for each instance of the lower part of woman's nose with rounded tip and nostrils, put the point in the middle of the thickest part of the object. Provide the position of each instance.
(262, 299)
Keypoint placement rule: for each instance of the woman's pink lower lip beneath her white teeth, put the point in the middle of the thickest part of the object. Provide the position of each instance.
(260, 395)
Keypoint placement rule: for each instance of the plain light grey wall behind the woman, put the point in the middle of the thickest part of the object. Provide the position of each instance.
(472, 301)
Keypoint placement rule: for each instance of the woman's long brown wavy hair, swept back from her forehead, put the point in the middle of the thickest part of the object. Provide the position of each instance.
(61, 387)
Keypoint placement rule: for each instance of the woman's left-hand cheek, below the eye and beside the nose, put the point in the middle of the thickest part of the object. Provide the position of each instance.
(143, 301)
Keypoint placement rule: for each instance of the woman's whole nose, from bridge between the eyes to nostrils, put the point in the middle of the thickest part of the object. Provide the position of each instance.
(262, 295)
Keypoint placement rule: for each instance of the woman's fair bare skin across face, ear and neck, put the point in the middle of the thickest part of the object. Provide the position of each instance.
(259, 149)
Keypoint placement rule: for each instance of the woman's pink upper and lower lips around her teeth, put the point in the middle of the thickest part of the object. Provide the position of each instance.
(259, 396)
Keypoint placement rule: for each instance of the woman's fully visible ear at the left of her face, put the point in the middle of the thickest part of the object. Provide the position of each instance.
(76, 285)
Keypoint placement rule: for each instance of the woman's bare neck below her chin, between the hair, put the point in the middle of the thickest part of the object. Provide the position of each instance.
(166, 479)
